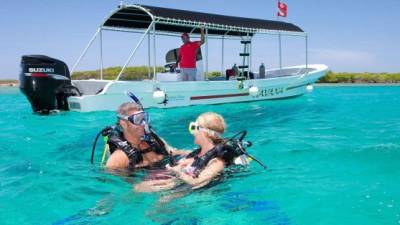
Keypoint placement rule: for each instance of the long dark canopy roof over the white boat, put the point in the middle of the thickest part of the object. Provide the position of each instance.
(178, 21)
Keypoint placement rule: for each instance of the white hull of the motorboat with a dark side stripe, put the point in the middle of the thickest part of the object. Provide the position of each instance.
(179, 94)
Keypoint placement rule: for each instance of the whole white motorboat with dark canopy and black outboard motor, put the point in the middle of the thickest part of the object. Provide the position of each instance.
(164, 90)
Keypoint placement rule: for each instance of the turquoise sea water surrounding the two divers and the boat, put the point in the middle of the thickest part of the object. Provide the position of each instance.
(333, 158)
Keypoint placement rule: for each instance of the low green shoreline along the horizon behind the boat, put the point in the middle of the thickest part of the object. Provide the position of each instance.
(142, 72)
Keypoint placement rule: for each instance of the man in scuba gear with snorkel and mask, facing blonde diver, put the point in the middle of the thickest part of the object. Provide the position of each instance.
(132, 143)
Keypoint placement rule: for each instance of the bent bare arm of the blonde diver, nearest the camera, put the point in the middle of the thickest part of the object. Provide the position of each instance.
(214, 167)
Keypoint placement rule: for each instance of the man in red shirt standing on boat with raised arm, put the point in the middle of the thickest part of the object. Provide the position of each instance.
(187, 56)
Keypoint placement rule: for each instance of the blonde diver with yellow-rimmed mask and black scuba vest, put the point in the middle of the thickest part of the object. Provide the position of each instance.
(204, 164)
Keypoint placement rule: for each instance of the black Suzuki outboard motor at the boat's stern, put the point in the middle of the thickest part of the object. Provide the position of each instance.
(46, 82)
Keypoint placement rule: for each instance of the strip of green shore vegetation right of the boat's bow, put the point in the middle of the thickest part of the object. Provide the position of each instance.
(332, 77)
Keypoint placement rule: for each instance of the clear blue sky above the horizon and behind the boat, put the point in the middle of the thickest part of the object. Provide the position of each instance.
(352, 36)
